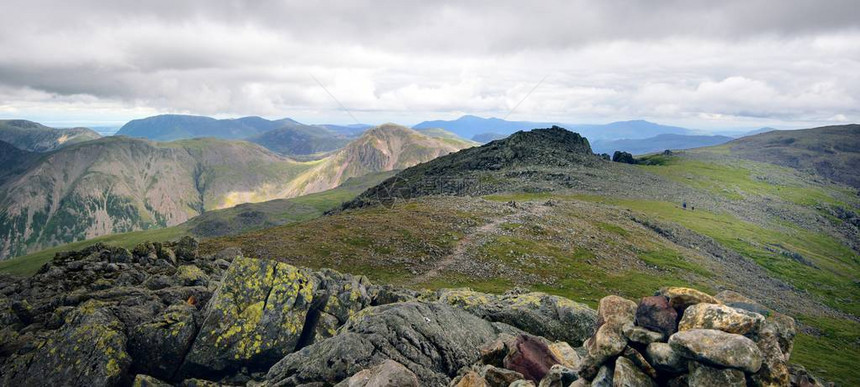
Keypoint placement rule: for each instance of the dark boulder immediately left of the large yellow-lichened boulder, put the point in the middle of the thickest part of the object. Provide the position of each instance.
(159, 346)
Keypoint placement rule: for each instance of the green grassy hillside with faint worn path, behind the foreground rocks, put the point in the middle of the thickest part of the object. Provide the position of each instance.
(588, 227)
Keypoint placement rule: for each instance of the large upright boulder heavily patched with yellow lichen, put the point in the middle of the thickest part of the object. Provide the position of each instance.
(254, 319)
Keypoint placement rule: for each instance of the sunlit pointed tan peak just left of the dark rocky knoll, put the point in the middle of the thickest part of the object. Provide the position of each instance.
(384, 148)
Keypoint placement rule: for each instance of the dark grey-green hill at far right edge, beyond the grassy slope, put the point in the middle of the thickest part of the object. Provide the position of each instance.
(831, 151)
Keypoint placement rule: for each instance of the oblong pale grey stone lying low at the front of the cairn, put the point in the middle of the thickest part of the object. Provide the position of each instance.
(719, 348)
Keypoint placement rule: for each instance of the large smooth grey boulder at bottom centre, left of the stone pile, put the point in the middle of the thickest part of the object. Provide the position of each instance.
(433, 340)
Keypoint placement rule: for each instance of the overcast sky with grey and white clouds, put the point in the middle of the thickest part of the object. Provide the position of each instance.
(700, 64)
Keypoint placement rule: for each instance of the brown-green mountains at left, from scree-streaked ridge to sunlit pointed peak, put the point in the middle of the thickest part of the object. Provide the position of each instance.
(119, 184)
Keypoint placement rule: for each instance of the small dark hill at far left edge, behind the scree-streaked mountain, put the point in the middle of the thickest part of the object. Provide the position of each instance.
(35, 137)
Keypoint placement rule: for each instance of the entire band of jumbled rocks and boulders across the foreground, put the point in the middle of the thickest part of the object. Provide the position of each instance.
(163, 314)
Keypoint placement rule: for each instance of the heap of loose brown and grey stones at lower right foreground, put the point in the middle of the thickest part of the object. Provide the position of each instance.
(678, 337)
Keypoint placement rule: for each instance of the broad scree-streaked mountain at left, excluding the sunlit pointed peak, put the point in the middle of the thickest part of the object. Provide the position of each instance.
(120, 184)
